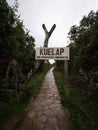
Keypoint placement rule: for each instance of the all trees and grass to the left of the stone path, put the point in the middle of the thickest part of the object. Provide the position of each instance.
(17, 61)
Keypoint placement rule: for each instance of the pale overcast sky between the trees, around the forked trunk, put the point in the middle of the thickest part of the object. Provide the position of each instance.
(63, 13)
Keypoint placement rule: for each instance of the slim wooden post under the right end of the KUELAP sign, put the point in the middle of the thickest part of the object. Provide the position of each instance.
(66, 77)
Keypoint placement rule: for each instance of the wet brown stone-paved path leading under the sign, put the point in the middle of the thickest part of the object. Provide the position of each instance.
(46, 112)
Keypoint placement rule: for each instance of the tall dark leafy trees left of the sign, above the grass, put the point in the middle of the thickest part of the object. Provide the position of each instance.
(17, 53)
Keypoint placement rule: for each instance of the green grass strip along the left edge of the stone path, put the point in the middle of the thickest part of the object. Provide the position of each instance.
(13, 109)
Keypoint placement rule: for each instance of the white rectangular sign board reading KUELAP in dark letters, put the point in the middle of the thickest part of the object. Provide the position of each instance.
(52, 53)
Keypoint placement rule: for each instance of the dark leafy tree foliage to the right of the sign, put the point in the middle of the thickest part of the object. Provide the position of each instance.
(84, 43)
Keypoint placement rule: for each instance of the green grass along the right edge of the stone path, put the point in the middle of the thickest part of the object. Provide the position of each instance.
(83, 109)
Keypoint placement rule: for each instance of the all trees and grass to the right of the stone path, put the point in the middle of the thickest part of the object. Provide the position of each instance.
(83, 74)
